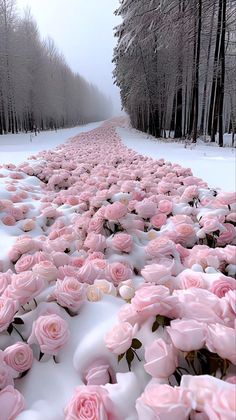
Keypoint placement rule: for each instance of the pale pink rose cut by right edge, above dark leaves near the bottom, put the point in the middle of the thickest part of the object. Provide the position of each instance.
(221, 340)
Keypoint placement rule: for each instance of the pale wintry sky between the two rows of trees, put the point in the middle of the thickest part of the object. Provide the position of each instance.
(83, 32)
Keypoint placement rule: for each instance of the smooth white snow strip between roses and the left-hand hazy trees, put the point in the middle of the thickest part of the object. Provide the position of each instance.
(15, 148)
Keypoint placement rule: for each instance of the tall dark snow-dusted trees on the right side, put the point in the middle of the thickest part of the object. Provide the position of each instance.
(176, 66)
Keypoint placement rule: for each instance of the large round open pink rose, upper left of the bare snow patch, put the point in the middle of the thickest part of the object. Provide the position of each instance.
(51, 332)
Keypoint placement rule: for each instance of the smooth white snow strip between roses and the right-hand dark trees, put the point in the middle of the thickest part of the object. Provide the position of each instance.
(217, 166)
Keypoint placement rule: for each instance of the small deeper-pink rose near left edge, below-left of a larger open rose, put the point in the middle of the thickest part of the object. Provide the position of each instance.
(19, 356)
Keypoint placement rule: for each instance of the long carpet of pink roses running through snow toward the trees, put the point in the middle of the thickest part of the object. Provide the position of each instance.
(123, 225)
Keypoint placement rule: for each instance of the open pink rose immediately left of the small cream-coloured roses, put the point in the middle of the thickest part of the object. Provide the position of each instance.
(69, 293)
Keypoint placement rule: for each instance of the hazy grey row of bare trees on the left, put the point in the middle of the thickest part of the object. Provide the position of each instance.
(37, 87)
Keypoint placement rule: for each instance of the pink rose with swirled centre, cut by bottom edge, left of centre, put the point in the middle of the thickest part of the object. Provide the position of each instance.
(90, 403)
